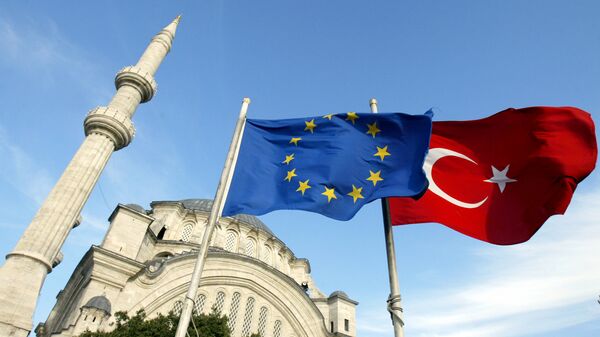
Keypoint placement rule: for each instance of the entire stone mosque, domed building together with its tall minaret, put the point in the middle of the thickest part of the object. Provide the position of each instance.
(146, 258)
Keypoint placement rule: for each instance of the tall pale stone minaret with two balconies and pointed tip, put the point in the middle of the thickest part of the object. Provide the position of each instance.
(107, 129)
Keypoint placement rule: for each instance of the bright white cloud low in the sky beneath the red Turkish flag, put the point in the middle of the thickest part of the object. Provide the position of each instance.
(547, 284)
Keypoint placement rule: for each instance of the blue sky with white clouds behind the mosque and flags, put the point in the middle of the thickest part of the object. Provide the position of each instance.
(467, 59)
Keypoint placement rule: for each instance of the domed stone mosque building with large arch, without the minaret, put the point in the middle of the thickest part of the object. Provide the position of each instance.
(146, 258)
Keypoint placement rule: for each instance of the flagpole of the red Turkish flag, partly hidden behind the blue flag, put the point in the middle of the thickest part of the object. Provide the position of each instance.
(394, 300)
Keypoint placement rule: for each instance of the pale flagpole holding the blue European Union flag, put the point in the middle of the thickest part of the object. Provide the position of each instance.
(215, 214)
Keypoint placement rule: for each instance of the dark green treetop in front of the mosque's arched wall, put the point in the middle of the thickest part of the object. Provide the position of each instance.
(211, 325)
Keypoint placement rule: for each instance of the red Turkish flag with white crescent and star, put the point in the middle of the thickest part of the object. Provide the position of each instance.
(498, 179)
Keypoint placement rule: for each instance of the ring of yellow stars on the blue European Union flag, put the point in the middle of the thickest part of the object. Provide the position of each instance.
(356, 193)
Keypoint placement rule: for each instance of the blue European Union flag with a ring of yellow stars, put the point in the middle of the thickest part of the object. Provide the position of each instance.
(332, 164)
